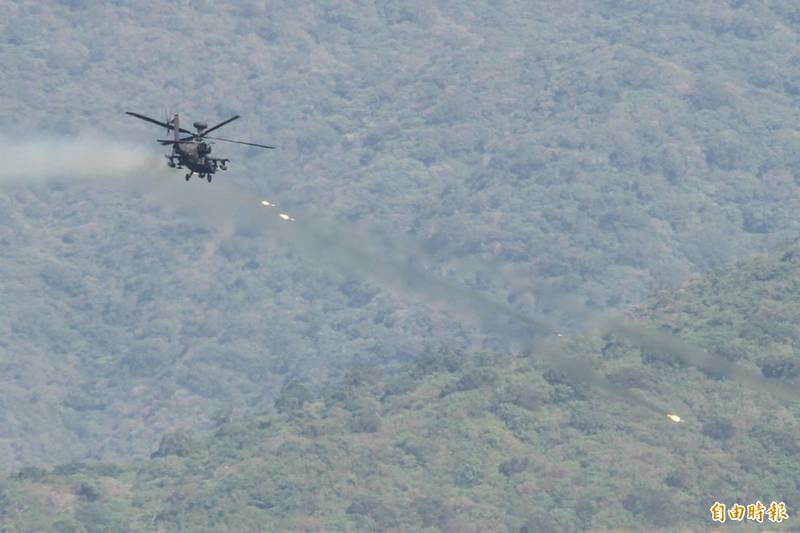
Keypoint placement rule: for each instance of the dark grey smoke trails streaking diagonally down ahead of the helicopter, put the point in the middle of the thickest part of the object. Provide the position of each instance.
(396, 264)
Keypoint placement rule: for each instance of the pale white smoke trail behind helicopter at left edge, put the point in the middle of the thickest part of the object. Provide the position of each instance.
(87, 156)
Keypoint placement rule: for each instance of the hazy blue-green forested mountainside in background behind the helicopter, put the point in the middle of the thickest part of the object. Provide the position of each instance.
(604, 149)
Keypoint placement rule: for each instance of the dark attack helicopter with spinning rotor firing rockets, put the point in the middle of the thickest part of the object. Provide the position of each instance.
(193, 150)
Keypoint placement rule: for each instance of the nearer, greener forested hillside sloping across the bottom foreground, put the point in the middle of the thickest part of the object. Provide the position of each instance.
(481, 441)
